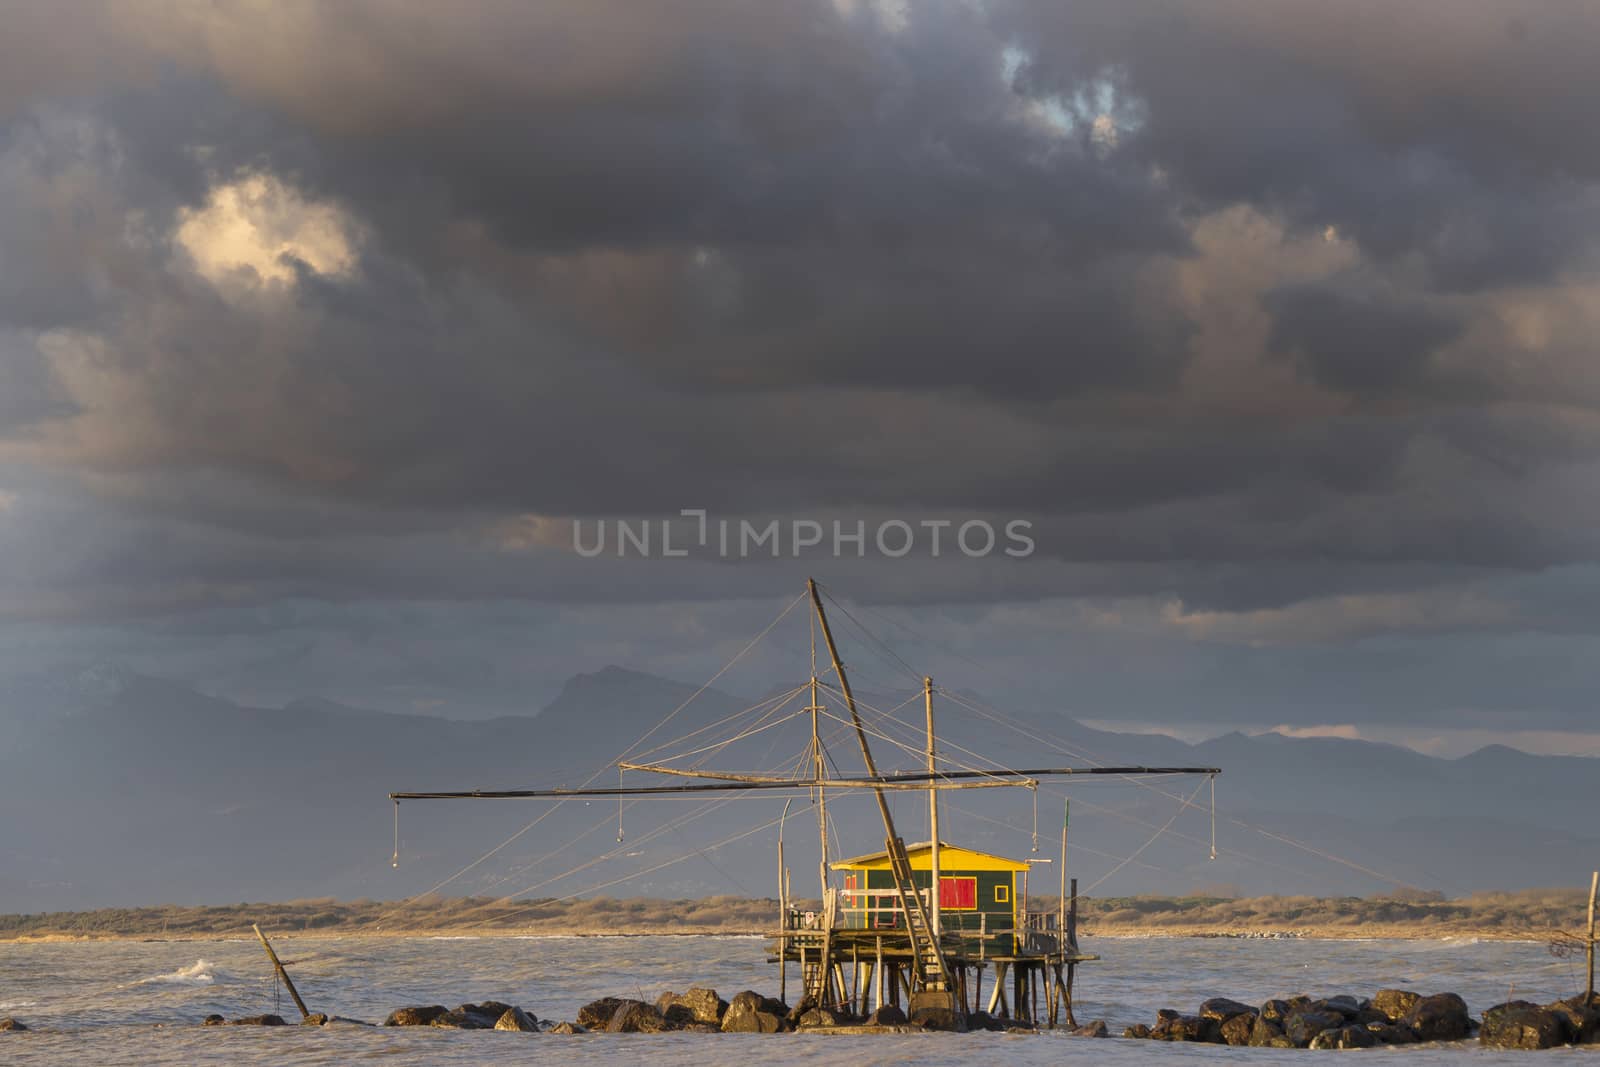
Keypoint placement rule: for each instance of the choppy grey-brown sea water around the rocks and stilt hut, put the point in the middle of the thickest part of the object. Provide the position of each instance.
(143, 1002)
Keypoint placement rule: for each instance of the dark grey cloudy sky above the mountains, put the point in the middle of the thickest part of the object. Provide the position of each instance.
(321, 326)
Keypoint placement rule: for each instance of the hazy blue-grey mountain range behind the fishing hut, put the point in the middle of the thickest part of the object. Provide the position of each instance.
(119, 789)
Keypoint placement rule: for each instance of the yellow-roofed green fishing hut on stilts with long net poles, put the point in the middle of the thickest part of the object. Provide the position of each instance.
(903, 943)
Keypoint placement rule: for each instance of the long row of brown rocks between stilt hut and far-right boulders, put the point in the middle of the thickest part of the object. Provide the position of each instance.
(1393, 1017)
